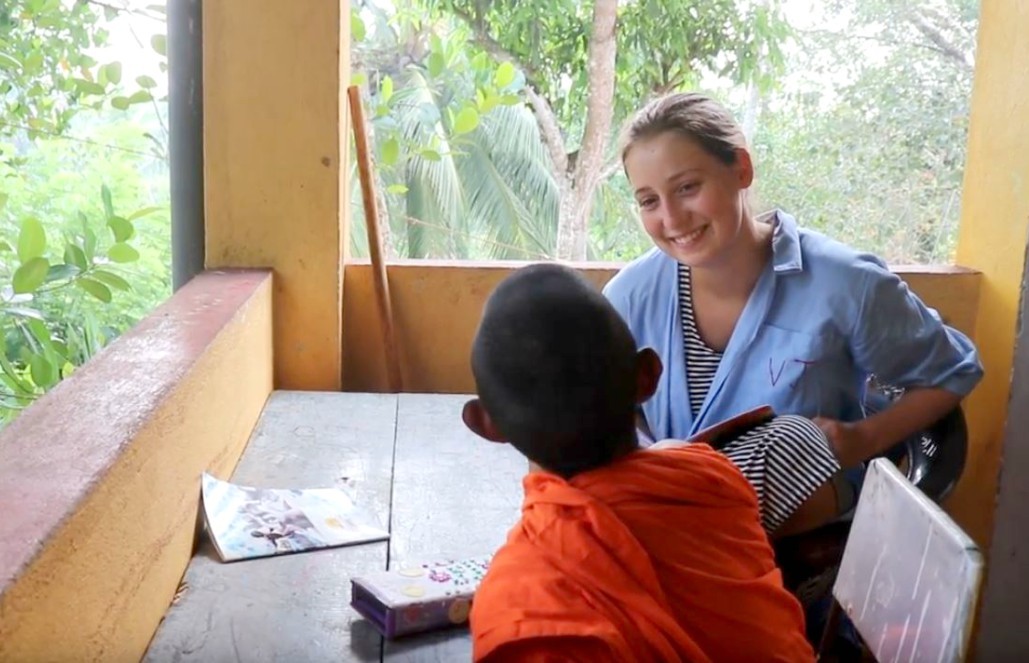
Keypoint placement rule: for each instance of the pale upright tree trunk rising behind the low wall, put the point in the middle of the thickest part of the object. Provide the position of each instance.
(578, 188)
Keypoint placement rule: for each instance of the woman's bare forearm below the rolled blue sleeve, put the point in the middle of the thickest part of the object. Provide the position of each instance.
(916, 410)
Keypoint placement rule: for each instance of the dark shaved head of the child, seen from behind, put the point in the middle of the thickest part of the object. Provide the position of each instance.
(556, 370)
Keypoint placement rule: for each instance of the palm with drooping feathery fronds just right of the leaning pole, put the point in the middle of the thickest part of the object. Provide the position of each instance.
(485, 194)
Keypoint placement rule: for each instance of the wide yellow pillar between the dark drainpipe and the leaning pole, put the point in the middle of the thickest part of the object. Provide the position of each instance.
(275, 144)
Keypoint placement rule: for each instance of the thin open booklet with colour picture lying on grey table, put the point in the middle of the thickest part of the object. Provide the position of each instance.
(245, 522)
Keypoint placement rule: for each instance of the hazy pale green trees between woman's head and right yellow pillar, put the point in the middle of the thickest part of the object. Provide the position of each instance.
(876, 157)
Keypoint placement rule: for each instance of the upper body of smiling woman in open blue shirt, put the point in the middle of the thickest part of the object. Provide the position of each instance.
(750, 310)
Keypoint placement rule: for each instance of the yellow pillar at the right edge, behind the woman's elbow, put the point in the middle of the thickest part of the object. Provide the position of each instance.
(995, 224)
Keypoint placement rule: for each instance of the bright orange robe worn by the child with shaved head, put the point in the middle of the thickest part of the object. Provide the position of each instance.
(660, 556)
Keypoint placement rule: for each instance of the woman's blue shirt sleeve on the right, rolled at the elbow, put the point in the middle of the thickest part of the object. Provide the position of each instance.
(905, 343)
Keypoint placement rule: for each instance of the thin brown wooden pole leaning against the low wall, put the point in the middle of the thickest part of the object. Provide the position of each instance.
(375, 240)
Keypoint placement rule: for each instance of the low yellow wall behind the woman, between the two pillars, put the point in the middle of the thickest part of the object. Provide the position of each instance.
(437, 306)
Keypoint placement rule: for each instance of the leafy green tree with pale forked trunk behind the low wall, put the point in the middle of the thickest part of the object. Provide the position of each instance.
(581, 68)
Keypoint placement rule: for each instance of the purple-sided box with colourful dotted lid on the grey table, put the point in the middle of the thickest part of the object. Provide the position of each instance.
(419, 598)
